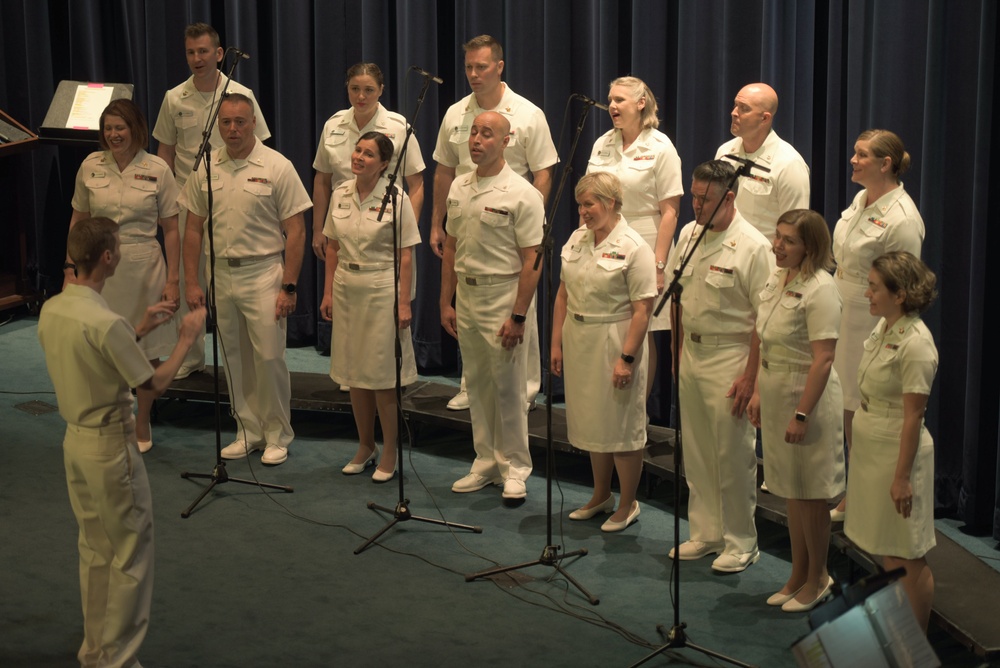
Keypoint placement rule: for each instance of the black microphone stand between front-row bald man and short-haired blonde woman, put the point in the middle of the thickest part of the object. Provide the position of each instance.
(550, 553)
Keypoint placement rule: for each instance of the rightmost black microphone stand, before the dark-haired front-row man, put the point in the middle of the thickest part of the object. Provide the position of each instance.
(677, 636)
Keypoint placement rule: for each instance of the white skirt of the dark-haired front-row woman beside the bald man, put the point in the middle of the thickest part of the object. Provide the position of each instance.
(362, 341)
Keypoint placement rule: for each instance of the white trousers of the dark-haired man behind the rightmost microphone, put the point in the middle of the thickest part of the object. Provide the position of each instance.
(719, 460)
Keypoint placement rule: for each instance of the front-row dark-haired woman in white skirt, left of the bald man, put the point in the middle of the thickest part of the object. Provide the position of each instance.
(358, 296)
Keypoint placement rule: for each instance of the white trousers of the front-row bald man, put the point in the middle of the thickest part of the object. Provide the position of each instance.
(495, 379)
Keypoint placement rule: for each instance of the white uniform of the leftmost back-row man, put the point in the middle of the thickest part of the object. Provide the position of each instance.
(183, 114)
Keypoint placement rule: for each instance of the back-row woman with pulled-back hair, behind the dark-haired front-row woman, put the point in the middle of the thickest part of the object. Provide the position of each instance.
(334, 154)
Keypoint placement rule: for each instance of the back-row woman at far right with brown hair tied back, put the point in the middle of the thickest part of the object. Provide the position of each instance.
(881, 218)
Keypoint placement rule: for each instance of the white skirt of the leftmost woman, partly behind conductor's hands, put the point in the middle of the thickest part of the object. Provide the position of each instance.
(138, 284)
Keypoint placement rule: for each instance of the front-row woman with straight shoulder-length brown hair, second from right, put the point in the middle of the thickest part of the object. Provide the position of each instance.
(798, 403)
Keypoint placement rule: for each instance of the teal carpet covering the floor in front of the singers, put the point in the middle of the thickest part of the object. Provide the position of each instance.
(270, 579)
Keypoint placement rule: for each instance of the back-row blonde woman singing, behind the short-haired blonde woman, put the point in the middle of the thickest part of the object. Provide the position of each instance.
(649, 168)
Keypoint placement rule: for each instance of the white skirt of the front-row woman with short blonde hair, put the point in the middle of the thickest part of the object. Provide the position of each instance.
(600, 417)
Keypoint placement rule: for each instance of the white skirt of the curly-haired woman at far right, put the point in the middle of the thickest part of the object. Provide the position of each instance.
(872, 521)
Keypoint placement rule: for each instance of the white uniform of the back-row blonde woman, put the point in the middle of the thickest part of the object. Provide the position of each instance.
(650, 172)
